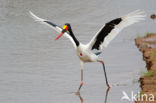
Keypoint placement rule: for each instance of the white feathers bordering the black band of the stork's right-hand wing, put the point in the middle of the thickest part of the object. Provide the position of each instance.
(127, 20)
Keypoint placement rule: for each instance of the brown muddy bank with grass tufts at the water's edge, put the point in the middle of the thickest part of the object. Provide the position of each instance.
(147, 45)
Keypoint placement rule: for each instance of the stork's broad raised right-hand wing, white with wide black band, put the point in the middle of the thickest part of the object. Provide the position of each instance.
(109, 31)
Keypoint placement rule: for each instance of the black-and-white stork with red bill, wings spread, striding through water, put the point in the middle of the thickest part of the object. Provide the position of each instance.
(102, 38)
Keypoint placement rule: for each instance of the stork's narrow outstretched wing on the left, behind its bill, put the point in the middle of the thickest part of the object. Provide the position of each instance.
(52, 25)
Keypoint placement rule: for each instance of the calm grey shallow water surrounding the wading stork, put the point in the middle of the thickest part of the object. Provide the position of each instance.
(34, 68)
